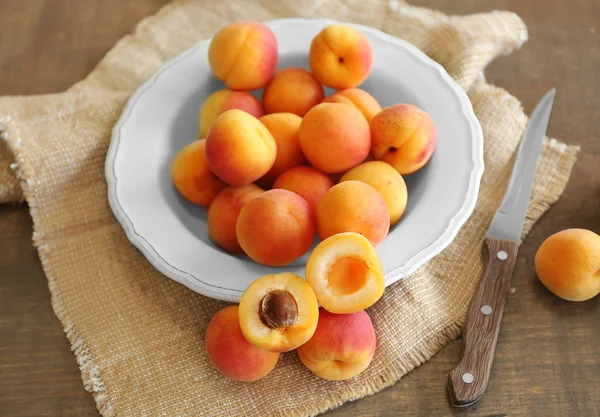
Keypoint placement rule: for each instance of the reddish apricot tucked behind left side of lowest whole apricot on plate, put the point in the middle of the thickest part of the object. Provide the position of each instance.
(223, 214)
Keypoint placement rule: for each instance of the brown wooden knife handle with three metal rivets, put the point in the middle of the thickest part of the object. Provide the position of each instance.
(468, 381)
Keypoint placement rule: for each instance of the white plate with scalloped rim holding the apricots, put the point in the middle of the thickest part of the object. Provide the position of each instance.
(161, 117)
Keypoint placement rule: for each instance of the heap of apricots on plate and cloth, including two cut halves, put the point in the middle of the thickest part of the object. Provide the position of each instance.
(278, 173)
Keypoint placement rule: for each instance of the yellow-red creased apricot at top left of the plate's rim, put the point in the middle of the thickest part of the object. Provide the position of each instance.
(244, 55)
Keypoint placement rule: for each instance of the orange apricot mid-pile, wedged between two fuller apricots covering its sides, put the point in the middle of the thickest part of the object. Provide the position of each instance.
(284, 128)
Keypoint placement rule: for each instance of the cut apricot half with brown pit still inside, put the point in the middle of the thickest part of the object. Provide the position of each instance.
(278, 312)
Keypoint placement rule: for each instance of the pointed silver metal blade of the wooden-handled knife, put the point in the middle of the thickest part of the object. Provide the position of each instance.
(508, 221)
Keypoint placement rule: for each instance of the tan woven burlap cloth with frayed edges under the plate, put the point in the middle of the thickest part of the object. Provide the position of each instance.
(138, 336)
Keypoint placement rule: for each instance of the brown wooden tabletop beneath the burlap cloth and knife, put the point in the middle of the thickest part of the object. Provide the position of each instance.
(548, 358)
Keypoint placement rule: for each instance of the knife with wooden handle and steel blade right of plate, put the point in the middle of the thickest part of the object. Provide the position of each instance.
(468, 381)
